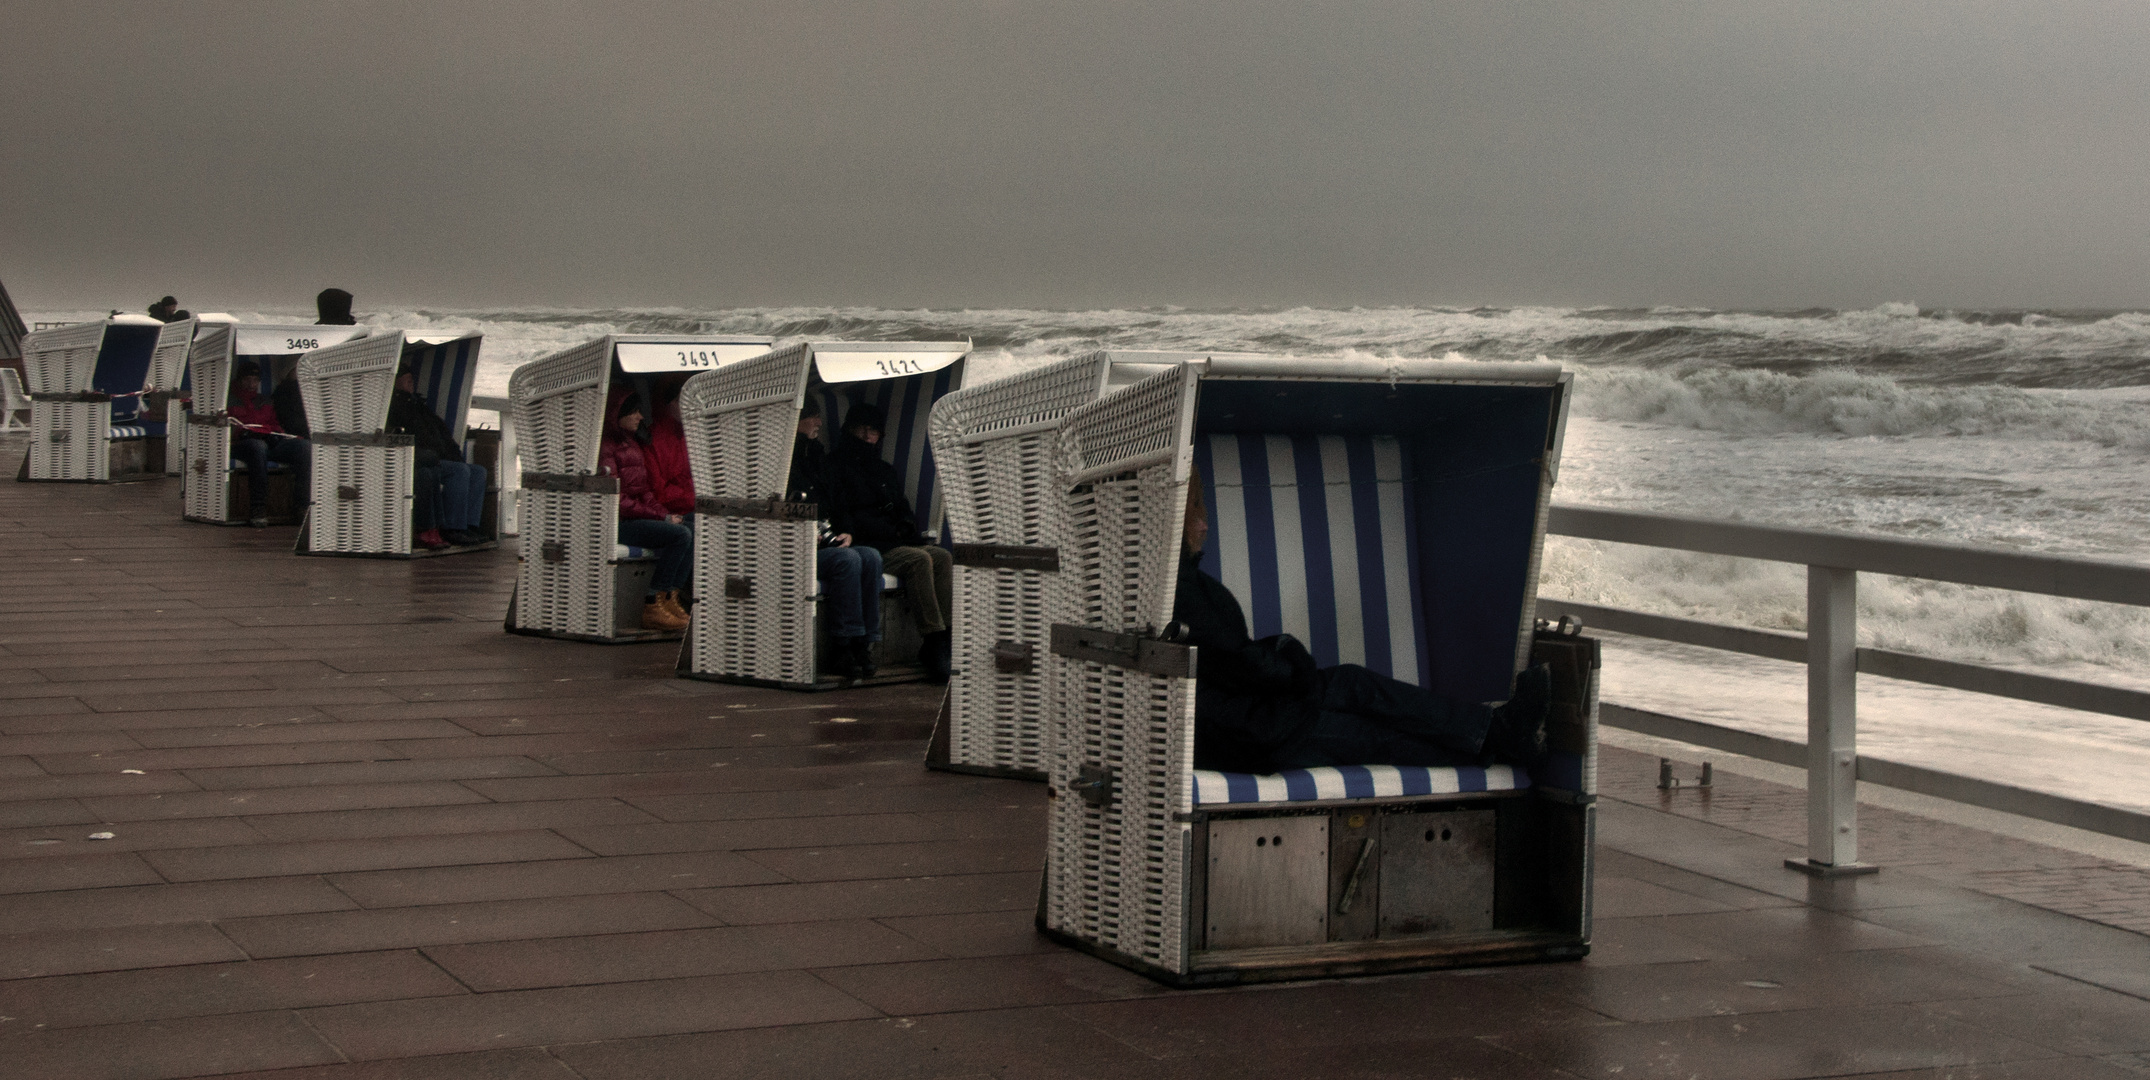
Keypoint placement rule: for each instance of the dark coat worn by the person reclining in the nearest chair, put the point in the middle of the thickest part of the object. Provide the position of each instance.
(1252, 698)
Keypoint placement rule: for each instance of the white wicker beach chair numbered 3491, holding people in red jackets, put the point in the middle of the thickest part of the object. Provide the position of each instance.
(575, 578)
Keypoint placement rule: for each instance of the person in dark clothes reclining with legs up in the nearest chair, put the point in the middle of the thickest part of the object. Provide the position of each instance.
(1263, 707)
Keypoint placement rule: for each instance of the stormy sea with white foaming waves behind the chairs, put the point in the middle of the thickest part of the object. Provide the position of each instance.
(2022, 429)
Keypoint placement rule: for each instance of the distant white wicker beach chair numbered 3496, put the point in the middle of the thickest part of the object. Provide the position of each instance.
(212, 483)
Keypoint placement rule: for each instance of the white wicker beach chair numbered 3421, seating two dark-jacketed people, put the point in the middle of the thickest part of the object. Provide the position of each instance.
(754, 554)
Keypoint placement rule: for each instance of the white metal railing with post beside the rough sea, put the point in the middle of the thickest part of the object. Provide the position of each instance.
(1833, 662)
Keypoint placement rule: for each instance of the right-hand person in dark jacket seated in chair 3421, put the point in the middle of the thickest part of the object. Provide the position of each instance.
(880, 517)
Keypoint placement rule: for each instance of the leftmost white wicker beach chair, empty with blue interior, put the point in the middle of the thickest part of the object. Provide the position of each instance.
(87, 397)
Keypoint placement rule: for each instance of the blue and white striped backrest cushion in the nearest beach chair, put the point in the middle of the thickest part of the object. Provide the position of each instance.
(1315, 535)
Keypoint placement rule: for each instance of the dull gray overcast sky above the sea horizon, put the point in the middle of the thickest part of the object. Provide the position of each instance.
(977, 154)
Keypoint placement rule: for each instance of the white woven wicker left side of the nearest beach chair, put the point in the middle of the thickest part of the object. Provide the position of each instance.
(1117, 872)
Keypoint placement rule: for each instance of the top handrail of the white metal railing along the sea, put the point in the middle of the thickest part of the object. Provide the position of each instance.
(1964, 565)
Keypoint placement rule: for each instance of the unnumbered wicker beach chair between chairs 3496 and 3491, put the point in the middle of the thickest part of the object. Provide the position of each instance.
(364, 479)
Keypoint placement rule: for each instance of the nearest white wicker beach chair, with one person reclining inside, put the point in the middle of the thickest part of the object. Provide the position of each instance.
(1390, 515)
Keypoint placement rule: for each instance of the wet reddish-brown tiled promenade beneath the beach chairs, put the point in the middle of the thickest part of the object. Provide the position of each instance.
(362, 834)
